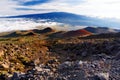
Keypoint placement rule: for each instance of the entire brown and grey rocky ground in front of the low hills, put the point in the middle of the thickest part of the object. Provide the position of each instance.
(38, 57)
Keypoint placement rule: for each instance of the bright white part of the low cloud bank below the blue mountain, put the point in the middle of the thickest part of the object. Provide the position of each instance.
(23, 24)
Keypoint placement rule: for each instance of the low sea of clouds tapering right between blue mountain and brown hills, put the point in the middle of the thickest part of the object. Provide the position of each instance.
(12, 24)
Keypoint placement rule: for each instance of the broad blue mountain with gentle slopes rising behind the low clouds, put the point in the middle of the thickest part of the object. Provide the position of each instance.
(69, 18)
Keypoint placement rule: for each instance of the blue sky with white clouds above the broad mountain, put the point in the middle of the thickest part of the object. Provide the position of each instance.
(94, 8)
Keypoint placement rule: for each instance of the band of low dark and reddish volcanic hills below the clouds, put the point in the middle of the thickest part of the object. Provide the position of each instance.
(51, 33)
